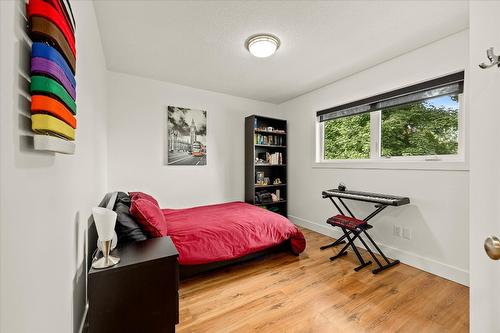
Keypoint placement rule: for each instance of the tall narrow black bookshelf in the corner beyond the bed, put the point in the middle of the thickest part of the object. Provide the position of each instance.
(266, 139)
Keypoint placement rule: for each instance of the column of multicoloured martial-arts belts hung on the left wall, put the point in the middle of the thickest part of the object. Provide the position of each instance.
(51, 27)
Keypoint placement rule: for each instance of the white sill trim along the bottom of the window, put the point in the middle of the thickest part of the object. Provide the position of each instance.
(395, 164)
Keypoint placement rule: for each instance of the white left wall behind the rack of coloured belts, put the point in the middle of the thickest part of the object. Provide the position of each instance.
(46, 198)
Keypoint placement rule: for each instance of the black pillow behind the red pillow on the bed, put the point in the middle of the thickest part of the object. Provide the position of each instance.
(126, 228)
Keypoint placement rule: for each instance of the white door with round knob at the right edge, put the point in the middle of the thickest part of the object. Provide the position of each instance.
(484, 166)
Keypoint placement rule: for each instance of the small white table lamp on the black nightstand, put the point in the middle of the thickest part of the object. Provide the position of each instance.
(105, 220)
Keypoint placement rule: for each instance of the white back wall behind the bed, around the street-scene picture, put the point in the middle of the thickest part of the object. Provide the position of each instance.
(137, 108)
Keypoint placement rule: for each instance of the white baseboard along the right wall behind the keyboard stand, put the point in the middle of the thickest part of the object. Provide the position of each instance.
(412, 259)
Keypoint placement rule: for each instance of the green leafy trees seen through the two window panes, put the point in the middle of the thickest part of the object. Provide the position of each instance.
(417, 129)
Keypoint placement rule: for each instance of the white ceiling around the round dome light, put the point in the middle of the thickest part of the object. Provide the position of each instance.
(201, 44)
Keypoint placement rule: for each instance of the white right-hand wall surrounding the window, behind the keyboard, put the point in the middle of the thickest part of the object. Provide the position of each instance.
(438, 214)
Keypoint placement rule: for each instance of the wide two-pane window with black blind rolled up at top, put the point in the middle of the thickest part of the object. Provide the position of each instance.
(421, 121)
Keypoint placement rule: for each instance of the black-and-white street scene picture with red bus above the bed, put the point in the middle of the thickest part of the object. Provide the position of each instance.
(186, 137)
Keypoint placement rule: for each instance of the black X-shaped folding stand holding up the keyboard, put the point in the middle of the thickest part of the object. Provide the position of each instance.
(357, 235)
